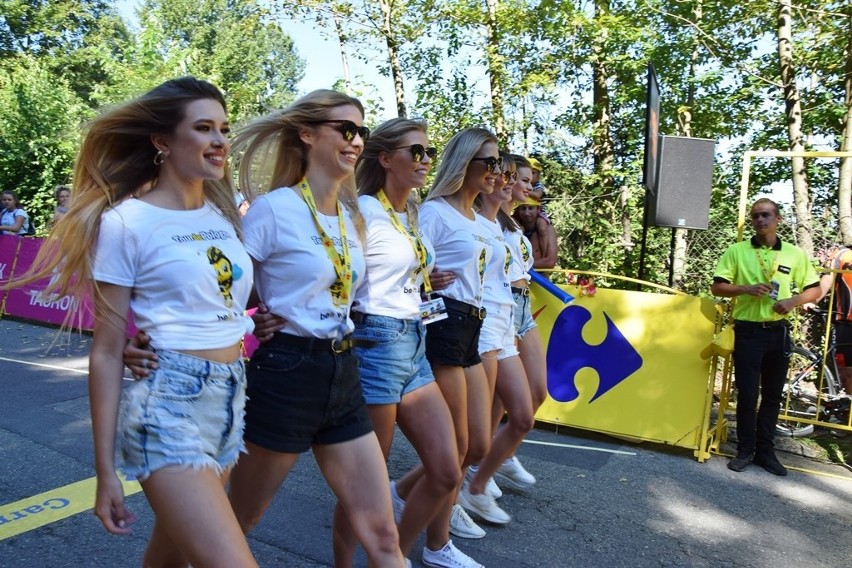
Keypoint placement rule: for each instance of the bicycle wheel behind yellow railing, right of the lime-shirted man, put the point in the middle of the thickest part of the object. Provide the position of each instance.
(806, 391)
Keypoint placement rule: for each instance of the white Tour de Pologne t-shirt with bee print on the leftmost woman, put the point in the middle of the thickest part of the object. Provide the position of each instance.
(191, 276)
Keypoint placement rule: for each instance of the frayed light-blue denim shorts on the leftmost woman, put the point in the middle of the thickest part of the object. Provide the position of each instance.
(188, 412)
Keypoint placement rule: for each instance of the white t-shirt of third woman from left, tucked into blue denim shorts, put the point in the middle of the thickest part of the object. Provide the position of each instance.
(391, 288)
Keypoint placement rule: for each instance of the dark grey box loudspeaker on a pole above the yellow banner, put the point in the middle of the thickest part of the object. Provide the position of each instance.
(684, 180)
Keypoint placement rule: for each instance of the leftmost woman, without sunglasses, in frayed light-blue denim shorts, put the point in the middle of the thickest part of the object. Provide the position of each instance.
(173, 257)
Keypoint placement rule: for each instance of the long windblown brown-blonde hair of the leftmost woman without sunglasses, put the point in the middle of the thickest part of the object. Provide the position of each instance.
(116, 160)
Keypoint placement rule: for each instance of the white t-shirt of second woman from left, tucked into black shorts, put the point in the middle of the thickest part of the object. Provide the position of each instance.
(295, 273)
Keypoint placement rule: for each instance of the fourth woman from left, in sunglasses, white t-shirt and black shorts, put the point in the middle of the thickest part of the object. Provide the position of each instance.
(470, 165)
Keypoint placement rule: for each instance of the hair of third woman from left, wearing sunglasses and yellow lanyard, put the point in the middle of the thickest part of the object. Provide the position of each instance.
(369, 173)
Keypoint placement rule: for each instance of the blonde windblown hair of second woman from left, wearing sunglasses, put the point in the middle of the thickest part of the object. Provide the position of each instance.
(271, 153)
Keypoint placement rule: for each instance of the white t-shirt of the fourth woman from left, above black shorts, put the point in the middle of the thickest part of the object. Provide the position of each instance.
(461, 246)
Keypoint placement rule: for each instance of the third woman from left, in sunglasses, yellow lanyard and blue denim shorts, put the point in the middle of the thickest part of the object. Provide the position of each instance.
(398, 384)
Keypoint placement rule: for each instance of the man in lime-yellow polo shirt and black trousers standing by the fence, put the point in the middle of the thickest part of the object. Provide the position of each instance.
(759, 272)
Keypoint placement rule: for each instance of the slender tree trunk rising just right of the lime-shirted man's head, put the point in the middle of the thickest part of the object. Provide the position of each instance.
(793, 114)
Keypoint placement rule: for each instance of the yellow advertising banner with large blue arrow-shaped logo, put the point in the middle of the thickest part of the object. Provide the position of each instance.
(627, 363)
